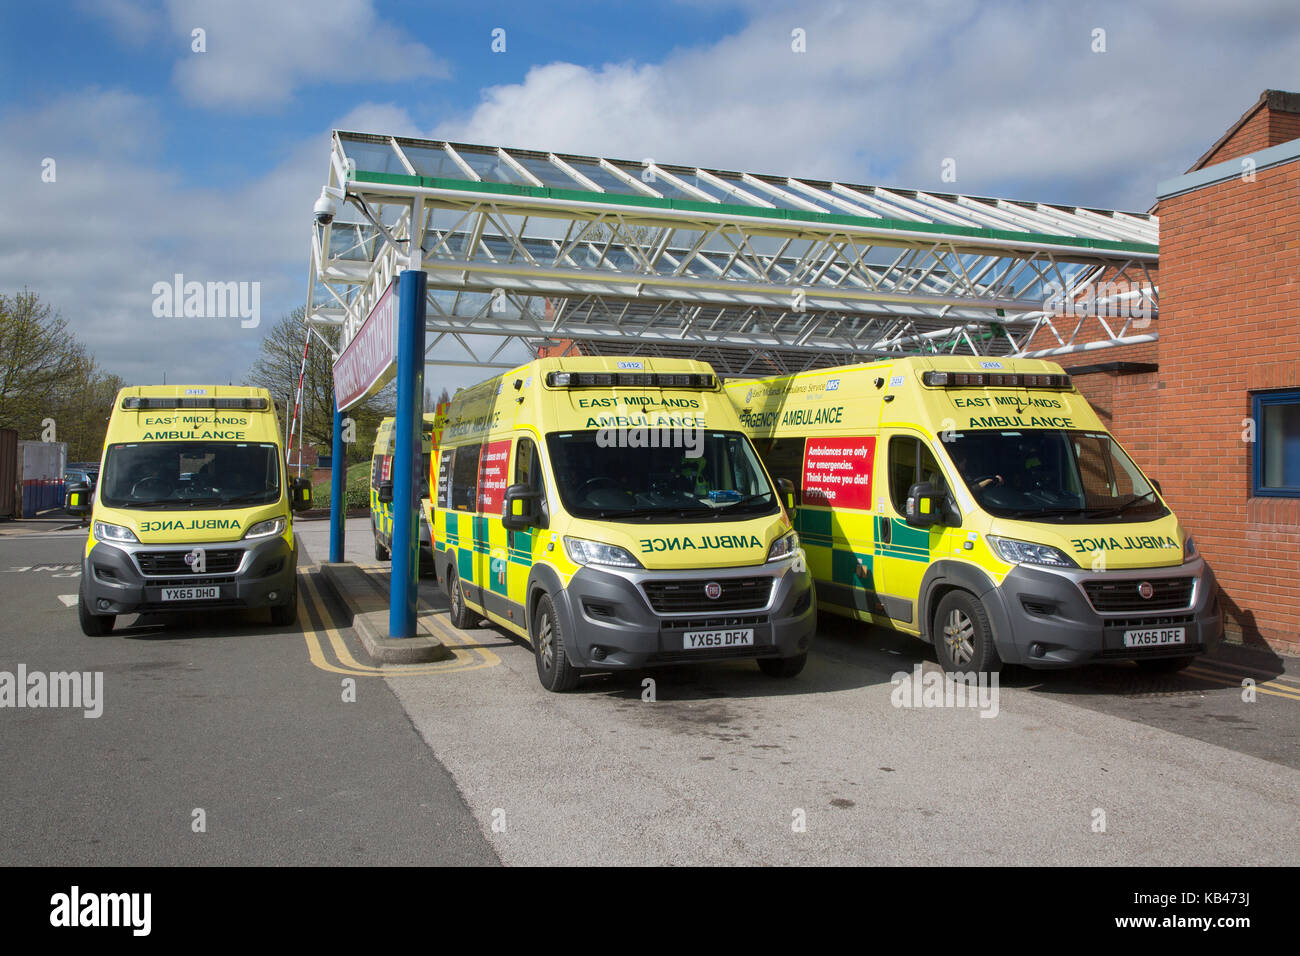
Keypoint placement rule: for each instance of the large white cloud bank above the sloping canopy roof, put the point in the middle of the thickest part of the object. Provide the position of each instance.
(1013, 93)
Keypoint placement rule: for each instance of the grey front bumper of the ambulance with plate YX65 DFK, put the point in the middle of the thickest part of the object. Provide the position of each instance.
(613, 626)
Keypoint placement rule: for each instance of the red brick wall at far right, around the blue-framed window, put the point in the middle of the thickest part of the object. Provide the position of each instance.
(1230, 310)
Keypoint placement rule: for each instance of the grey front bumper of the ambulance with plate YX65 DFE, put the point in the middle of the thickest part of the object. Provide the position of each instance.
(1045, 618)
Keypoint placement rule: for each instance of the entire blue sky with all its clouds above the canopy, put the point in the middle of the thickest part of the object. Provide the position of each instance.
(207, 165)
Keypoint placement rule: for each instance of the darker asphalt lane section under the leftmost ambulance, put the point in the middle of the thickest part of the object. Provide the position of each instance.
(216, 713)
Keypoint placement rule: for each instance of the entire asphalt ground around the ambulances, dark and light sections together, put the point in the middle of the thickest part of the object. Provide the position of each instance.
(475, 763)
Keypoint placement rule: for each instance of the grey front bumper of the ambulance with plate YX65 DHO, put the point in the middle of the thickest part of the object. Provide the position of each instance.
(115, 583)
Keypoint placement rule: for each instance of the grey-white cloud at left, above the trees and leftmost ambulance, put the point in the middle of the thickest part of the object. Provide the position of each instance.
(112, 224)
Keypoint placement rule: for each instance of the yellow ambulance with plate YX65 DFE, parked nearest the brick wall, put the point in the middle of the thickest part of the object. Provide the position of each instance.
(982, 507)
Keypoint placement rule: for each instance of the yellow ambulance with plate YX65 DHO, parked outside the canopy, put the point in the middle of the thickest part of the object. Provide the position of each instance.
(193, 509)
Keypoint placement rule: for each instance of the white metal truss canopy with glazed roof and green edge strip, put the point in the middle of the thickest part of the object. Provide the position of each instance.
(752, 274)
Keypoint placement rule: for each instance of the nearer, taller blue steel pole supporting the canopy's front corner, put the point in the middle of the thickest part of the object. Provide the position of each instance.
(406, 455)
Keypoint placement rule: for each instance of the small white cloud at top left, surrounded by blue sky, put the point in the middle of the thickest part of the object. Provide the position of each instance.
(259, 53)
